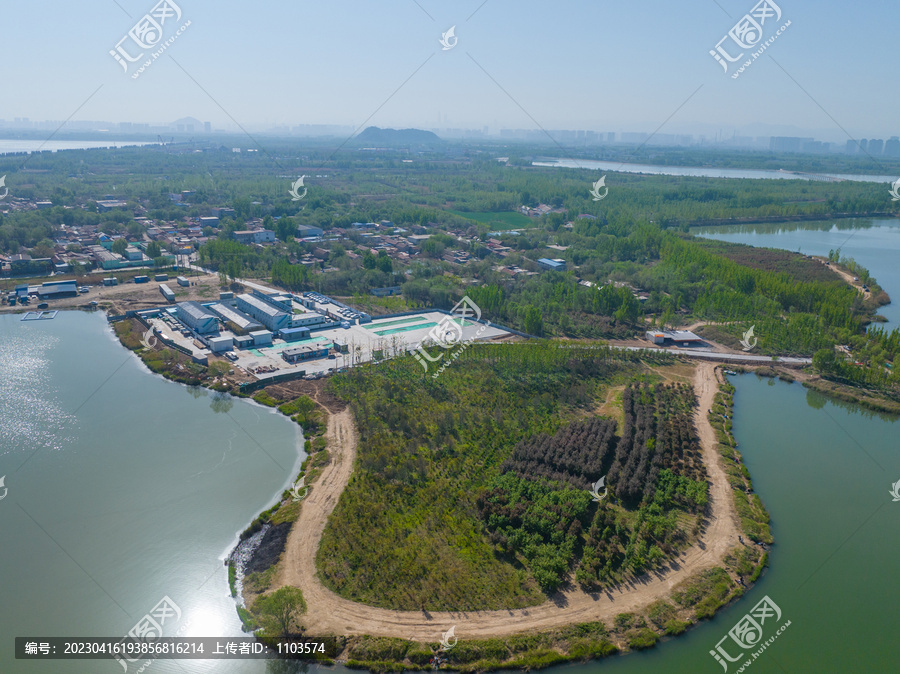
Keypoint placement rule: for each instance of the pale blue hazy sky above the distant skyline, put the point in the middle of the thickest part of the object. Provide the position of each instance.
(558, 65)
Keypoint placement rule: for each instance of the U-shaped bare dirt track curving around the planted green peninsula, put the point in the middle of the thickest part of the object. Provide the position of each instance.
(330, 614)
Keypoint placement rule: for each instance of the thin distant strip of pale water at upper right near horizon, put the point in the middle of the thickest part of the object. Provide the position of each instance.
(704, 171)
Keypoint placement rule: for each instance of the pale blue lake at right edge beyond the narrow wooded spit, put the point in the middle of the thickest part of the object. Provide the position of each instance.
(875, 244)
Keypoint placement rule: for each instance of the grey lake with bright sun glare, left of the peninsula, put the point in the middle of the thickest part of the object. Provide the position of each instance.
(123, 488)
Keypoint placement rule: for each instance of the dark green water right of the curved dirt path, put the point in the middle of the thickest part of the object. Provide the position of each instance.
(824, 471)
